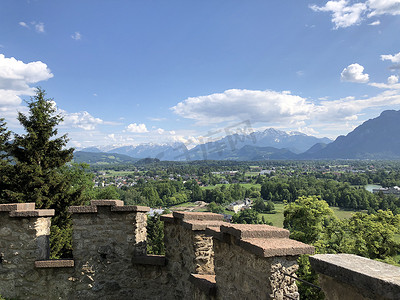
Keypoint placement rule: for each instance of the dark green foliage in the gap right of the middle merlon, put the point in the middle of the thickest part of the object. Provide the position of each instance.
(155, 235)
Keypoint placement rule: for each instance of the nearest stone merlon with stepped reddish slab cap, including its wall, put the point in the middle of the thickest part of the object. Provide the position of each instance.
(263, 254)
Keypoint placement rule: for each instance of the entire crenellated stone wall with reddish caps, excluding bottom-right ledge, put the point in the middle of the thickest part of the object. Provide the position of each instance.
(206, 258)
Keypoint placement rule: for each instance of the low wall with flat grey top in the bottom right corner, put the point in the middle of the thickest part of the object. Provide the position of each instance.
(348, 276)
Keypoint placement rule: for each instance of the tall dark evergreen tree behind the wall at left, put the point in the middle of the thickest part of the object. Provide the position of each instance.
(39, 174)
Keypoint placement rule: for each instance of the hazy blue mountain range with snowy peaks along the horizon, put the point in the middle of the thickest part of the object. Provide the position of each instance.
(377, 138)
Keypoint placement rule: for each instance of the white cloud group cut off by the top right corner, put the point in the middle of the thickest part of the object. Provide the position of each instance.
(346, 13)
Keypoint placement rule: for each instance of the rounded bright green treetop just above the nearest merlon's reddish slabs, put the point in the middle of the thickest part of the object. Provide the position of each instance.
(305, 218)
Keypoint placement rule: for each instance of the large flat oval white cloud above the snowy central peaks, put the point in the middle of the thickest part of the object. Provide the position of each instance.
(257, 106)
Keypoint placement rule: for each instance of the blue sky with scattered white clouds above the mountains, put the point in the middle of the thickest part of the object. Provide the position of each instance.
(131, 72)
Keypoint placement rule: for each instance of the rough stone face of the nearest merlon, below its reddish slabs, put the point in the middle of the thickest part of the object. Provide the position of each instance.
(259, 277)
